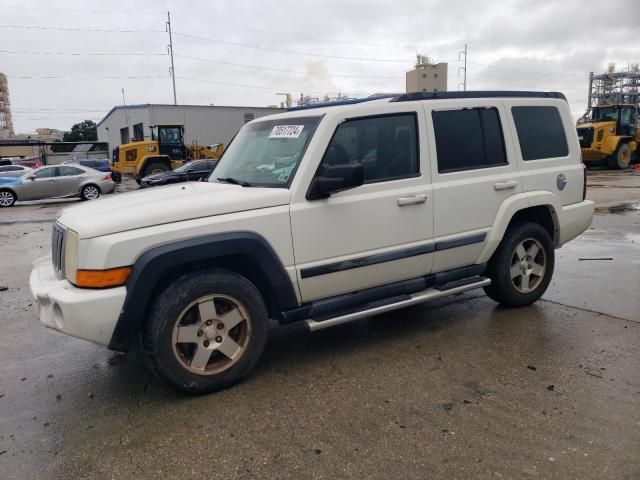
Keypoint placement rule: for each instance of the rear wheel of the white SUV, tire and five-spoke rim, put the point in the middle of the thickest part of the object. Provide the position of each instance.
(522, 266)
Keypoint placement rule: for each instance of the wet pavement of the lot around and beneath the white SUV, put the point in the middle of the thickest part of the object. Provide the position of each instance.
(459, 388)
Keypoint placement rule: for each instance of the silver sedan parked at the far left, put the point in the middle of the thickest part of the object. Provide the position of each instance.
(55, 181)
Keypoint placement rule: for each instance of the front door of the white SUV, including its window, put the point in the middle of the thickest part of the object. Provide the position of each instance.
(380, 232)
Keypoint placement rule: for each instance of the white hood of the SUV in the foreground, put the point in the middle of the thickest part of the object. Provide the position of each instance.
(172, 203)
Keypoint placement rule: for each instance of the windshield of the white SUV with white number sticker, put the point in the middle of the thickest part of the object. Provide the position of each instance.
(266, 153)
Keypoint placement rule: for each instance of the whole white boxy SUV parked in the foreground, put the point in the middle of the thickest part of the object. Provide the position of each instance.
(322, 215)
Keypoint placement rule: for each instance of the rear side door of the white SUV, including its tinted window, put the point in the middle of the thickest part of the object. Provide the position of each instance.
(473, 172)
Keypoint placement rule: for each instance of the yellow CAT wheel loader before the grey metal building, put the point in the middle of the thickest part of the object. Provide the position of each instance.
(165, 151)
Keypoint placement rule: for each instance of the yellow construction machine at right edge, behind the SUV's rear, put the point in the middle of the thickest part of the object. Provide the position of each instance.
(611, 133)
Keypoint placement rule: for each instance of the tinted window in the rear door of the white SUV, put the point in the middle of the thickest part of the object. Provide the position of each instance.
(468, 139)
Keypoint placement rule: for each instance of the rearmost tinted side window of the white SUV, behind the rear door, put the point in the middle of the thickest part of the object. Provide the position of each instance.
(540, 132)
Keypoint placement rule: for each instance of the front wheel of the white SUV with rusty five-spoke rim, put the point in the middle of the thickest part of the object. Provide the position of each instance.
(192, 352)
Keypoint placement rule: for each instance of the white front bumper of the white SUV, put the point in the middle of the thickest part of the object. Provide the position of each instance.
(90, 314)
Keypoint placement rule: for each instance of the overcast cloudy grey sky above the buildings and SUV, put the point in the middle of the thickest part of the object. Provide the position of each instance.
(69, 60)
